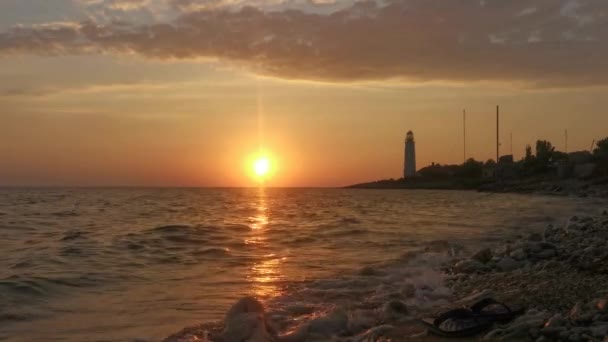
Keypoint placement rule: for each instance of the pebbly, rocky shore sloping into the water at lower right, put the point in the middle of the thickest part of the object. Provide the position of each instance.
(559, 274)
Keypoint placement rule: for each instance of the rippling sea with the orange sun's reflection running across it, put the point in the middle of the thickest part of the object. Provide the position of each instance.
(132, 264)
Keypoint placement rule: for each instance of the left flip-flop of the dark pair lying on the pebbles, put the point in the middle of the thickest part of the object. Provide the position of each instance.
(457, 323)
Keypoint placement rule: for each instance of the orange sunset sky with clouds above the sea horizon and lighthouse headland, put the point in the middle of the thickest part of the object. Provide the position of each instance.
(187, 92)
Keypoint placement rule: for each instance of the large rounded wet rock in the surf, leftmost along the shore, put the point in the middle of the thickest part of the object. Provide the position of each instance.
(246, 322)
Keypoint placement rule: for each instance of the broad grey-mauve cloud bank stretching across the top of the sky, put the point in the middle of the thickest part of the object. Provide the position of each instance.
(561, 43)
